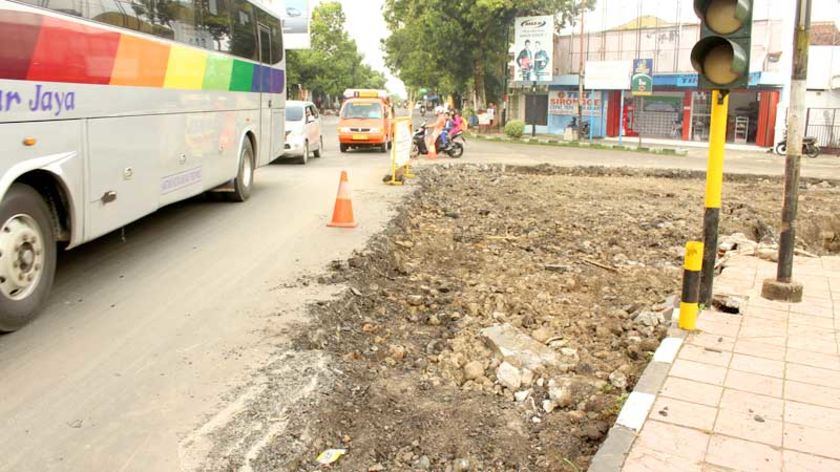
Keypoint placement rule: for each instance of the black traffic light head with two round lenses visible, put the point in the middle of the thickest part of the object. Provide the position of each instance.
(722, 56)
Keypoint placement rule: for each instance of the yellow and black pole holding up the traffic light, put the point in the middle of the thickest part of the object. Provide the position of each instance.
(714, 188)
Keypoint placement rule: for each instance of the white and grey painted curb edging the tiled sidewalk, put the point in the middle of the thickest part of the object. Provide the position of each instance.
(613, 451)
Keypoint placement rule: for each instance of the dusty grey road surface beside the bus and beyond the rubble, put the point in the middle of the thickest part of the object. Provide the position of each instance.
(153, 332)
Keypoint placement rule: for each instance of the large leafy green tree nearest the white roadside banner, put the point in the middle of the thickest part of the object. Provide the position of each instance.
(454, 45)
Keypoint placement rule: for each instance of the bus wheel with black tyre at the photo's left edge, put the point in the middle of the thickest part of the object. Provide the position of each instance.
(27, 256)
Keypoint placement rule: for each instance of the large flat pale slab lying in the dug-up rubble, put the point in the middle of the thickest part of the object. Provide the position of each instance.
(517, 348)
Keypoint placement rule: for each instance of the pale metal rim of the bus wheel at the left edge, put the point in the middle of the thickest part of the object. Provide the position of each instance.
(21, 256)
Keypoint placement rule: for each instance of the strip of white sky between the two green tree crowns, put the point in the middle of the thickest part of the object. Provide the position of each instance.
(366, 25)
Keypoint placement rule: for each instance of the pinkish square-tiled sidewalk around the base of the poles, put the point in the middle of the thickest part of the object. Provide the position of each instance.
(753, 392)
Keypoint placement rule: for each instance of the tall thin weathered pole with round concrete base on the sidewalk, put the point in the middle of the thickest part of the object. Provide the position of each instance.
(783, 288)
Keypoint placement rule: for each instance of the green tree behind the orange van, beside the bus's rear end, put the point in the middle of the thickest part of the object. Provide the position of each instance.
(334, 63)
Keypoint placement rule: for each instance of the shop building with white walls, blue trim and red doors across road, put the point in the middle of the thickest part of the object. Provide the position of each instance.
(678, 109)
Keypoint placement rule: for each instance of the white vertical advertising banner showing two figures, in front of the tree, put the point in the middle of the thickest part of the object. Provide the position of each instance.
(534, 48)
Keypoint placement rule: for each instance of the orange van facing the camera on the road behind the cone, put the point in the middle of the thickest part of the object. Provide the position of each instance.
(365, 120)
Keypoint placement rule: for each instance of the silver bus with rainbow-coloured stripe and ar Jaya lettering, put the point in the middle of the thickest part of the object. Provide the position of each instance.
(112, 109)
